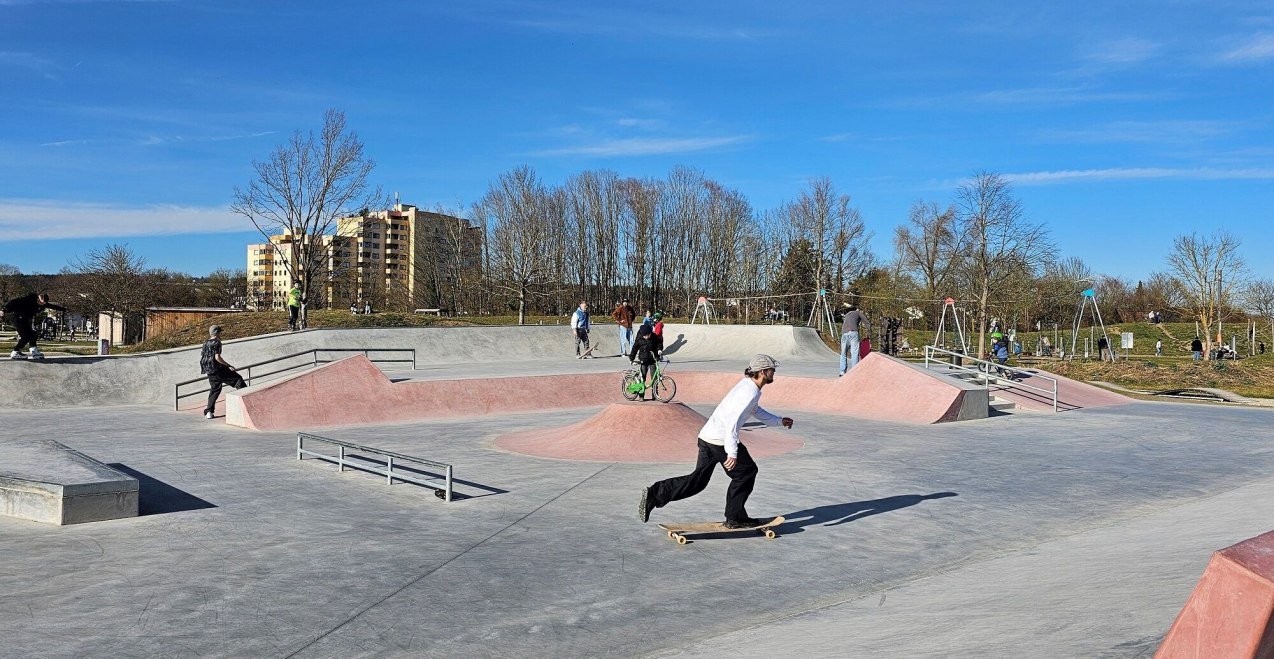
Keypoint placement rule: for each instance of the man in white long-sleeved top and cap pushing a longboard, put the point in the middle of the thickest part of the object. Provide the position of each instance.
(719, 444)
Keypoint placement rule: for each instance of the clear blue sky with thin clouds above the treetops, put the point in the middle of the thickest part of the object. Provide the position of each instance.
(1122, 124)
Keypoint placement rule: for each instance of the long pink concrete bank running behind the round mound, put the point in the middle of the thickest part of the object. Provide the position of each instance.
(355, 392)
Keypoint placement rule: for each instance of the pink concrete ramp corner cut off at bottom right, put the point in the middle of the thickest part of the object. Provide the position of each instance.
(1231, 612)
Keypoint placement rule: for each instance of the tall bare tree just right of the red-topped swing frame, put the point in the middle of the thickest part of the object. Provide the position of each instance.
(1001, 240)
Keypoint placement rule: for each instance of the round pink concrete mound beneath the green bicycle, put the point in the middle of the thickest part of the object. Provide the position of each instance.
(638, 433)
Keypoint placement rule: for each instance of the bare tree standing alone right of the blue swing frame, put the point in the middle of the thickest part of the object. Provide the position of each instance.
(1206, 270)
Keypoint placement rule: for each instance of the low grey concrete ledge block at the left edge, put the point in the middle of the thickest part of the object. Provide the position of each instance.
(47, 481)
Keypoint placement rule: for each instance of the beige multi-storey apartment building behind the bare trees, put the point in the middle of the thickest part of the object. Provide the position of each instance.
(401, 259)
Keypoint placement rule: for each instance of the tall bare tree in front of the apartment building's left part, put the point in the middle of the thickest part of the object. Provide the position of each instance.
(303, 189)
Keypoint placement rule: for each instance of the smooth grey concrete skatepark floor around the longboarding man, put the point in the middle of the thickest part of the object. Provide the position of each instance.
(1075, 535)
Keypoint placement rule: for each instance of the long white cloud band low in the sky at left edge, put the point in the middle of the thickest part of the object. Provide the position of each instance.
(50, 220)
